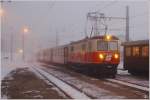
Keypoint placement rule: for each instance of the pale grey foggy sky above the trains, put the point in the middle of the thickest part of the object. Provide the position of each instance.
(46, 18)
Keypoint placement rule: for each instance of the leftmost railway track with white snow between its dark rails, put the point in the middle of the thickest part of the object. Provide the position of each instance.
(68, 89)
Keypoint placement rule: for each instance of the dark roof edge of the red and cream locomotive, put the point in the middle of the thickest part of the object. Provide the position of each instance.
(95, 37)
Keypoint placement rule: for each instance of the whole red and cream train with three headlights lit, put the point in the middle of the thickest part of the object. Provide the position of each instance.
(97, 55)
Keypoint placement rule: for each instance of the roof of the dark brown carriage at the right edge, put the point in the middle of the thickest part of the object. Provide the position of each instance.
(139, 42)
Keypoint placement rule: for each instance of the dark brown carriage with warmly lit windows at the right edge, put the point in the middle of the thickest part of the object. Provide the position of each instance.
(136, 57)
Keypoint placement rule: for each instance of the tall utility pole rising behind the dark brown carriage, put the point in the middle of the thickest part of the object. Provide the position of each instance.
(127, 23)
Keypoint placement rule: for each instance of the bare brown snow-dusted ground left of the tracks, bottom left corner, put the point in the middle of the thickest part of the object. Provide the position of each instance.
(24, 84)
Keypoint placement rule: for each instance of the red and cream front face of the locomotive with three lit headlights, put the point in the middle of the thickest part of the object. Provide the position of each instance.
(108, 50)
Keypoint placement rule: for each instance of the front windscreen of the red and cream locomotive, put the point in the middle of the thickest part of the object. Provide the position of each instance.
(107, 45)
